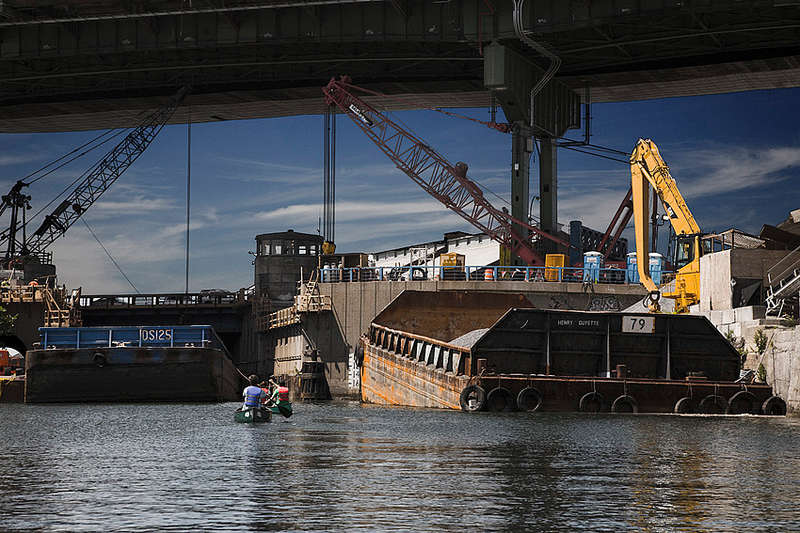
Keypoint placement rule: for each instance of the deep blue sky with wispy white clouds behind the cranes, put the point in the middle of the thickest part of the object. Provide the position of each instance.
(736, 158)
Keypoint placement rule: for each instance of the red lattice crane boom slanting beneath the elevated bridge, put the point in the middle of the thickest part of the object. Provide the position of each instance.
(446, 182)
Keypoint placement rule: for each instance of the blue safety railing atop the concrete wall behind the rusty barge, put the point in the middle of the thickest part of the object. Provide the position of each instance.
(615, 276)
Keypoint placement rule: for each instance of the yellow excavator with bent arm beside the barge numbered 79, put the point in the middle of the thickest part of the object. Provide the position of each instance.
(649, 169)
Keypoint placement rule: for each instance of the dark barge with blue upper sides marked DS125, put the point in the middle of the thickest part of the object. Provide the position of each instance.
(130, 364)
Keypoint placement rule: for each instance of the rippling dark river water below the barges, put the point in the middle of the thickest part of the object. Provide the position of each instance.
(343, 467)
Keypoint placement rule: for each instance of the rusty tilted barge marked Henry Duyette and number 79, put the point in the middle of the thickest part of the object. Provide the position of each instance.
(501, 354)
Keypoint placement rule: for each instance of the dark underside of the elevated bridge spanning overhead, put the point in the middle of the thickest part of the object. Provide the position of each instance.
(90, 64)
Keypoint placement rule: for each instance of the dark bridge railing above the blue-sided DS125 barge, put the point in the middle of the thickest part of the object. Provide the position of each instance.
(211, 298)
